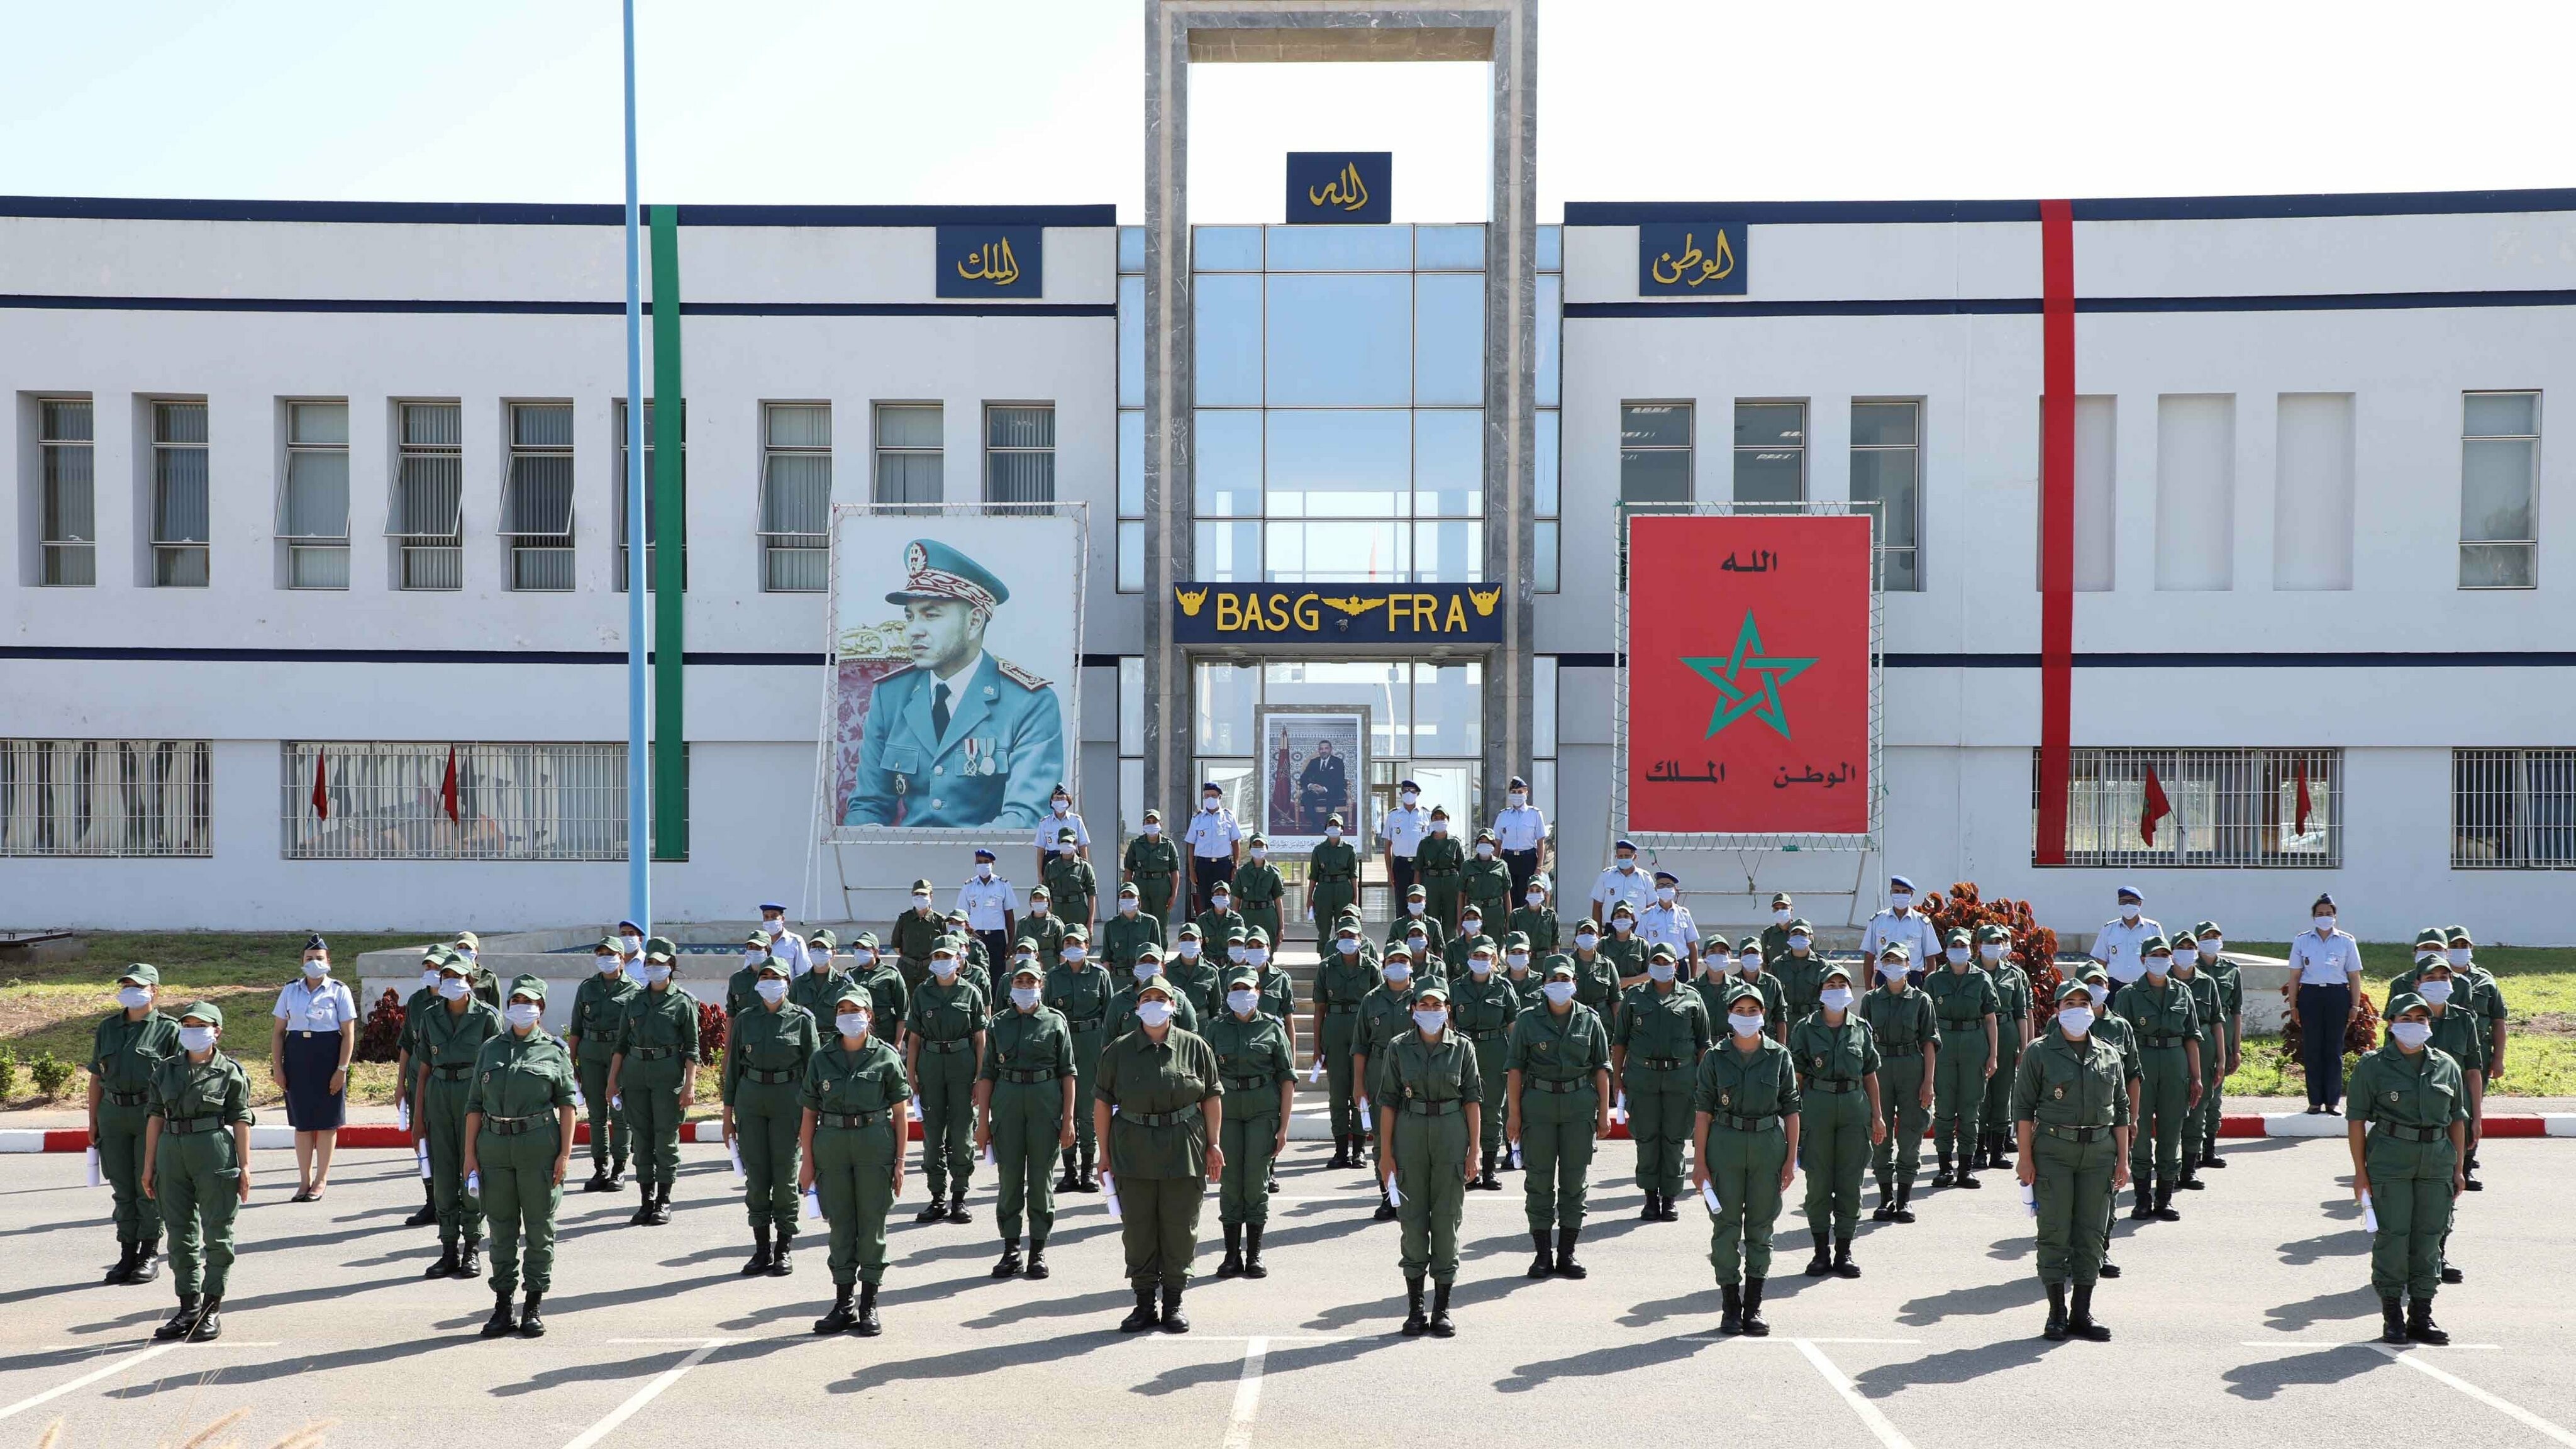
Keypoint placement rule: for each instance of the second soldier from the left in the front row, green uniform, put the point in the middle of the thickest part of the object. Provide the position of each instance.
(519, 1149)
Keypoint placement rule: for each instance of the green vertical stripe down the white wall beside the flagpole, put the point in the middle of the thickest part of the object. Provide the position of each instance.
(671, 545)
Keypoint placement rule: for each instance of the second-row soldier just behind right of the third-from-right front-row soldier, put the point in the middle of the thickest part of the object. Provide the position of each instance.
(1838, 1118)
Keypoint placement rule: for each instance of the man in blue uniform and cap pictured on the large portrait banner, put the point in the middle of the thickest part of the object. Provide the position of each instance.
(962, 739)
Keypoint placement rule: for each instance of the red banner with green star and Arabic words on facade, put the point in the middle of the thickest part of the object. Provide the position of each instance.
(1750, 674)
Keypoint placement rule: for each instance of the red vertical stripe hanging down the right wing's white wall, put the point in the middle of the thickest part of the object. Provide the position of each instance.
(2057, 520)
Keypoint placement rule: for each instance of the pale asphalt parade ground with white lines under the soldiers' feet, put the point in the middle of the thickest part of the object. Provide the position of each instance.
(2248, 1321)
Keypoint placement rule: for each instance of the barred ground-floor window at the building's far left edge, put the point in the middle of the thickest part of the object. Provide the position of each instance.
(107, 798)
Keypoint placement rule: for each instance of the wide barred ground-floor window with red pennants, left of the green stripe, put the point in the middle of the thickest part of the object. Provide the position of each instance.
(359, 801)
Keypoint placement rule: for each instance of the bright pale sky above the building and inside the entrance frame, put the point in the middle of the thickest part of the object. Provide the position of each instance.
(1042, 102)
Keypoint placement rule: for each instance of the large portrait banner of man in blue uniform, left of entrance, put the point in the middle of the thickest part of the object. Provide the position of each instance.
(957, 661)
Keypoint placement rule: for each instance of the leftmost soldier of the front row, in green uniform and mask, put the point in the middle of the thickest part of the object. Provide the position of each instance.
(197, 1167)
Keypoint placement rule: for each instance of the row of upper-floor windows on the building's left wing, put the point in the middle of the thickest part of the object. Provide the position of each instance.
(426, 504)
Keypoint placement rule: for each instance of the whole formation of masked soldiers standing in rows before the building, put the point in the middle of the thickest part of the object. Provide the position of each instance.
(1480, 1035)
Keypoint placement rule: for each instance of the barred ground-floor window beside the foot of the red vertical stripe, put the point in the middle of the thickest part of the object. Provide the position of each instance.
(2222, 808)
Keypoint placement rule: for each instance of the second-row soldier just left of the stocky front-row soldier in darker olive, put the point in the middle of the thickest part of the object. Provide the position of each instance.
(1027, 1113)
